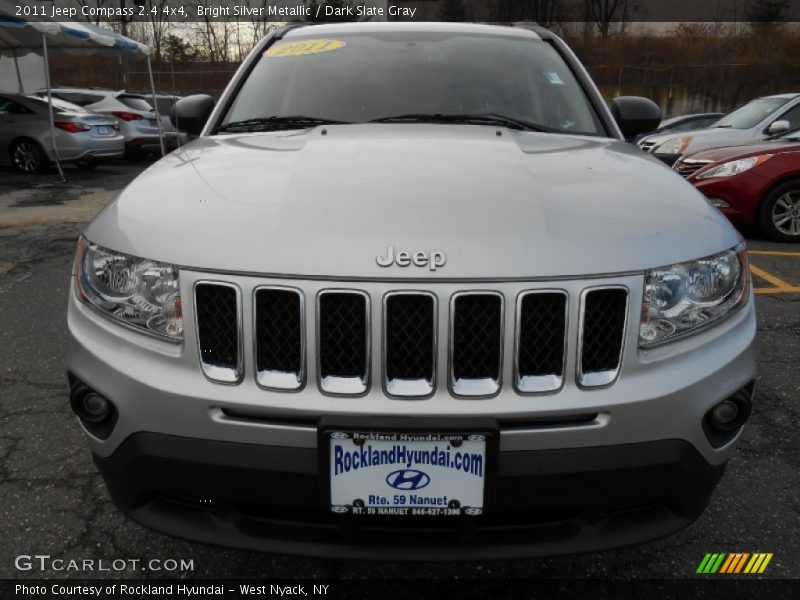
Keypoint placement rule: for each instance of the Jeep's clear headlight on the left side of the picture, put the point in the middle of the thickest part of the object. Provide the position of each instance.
(141, 293)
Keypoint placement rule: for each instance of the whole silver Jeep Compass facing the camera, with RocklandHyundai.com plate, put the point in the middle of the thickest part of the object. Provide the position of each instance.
(410, 294)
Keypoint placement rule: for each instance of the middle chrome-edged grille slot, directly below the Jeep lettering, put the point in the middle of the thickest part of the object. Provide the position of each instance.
(409, 338)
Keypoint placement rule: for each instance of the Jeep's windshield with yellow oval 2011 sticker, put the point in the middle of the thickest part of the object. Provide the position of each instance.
(356, 78)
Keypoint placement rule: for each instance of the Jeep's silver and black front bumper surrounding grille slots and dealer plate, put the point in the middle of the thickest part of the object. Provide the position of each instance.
(578, 469)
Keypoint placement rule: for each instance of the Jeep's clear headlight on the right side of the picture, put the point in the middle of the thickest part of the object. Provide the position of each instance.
(683, 298)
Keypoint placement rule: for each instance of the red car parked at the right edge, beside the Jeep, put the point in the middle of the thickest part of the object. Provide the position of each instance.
(755, 184)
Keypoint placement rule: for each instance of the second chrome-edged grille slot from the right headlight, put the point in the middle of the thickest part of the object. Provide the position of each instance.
(541, 341)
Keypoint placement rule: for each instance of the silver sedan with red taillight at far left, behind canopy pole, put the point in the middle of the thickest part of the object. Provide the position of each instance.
(81, 136)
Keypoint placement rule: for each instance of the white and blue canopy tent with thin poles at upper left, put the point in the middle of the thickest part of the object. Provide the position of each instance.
(23, 42)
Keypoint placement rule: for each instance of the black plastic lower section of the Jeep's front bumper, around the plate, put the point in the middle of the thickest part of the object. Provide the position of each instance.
(549, 502)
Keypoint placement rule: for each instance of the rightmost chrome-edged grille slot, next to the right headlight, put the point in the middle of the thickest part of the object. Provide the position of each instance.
(604, 311)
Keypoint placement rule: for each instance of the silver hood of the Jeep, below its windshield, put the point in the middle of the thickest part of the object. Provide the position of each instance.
(326, 202)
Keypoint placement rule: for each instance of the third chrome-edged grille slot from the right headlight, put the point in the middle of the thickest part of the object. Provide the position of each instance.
(476, 342)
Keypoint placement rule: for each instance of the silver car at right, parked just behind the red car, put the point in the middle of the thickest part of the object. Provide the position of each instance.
(759, 119)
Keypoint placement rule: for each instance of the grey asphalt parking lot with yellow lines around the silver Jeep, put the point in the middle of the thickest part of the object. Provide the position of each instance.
(52, 501)
